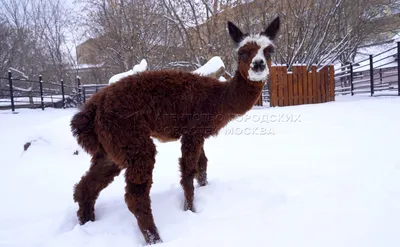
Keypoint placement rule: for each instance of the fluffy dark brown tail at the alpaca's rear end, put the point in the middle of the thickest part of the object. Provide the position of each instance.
(82, 127)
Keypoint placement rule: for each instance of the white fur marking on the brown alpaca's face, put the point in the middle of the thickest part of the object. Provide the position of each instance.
(263, 42)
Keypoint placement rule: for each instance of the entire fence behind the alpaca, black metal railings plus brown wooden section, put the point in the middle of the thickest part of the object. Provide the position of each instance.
(379, 74)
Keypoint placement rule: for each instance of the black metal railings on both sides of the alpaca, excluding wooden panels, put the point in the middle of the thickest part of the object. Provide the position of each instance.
(379, 74)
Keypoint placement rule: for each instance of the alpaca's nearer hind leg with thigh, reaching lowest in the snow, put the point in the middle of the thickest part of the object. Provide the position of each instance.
(131, 147)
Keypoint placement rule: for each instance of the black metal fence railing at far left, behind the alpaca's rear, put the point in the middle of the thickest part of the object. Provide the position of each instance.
(24, 93)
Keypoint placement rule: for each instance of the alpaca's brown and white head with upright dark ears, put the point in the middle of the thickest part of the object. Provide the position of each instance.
(254, 50)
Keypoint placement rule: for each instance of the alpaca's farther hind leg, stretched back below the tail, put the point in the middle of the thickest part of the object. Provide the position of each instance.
(101, 173)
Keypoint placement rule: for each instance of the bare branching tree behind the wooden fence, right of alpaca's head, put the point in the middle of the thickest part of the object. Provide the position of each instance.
(321, 32)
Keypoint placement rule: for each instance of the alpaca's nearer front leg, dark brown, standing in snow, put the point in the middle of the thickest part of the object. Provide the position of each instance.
(191, 149)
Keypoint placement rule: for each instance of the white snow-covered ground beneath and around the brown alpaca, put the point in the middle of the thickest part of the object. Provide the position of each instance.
(323, 175)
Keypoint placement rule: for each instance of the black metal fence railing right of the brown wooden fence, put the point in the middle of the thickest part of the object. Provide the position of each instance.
(377, 75)
